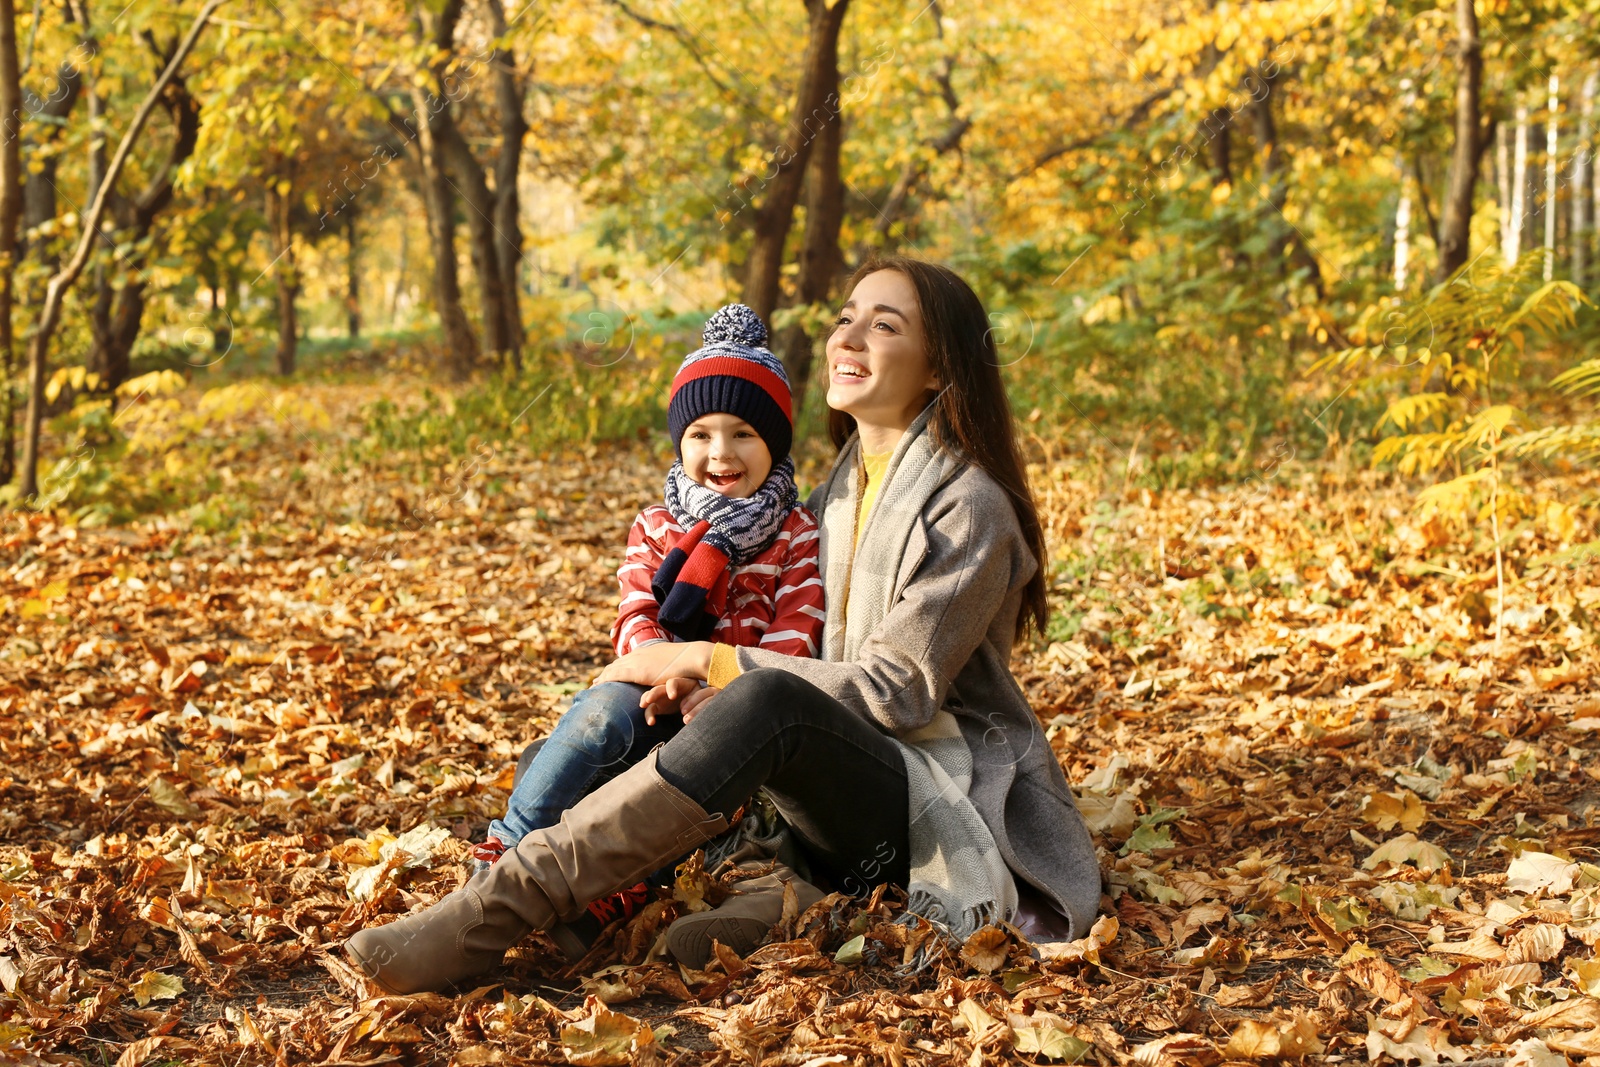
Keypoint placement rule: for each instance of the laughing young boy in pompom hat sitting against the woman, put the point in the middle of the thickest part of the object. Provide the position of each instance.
(730, 556)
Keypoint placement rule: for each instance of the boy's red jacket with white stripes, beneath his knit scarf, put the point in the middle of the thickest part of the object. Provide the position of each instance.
(772, 602)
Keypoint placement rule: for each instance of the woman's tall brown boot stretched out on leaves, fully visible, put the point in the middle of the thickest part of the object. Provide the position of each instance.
(606, 842)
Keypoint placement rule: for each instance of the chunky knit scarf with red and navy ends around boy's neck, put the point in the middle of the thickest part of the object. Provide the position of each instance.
(719, 532)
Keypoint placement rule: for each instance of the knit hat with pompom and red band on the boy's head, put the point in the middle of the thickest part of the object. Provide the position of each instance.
(734, 374)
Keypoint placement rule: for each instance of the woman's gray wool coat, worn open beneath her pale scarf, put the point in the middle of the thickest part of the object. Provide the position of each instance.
(946, 642)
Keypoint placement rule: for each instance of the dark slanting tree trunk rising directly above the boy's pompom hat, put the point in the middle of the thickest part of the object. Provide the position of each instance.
(814, 113)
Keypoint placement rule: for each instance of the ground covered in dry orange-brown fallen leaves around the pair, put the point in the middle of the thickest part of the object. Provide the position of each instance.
(1340, 820)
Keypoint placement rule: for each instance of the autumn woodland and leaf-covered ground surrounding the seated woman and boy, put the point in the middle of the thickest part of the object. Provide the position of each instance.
(335, 343)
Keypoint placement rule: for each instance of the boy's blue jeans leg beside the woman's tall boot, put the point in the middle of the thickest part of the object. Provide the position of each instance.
(601, 737)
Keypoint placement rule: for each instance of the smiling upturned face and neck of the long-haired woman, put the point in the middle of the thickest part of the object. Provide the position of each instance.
(878, 359)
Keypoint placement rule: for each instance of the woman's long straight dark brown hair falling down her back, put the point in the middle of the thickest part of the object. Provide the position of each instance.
(974, 414)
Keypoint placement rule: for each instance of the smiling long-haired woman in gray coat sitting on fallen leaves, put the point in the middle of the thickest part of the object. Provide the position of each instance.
(908, 753)
